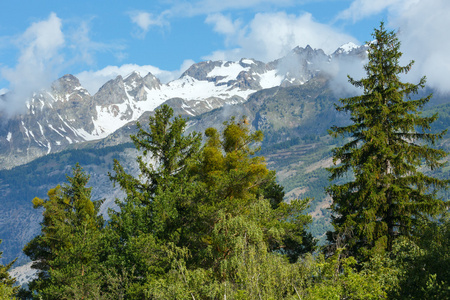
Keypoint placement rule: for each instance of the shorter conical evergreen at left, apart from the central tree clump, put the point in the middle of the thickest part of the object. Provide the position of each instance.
(66, 251)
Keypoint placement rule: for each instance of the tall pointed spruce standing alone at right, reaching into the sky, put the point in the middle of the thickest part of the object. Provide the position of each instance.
(389, 143)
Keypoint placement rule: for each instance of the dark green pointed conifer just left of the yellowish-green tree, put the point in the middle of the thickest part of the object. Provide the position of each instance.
(135, 242)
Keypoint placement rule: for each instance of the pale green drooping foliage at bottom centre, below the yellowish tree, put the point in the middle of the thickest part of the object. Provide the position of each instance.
(245, 269)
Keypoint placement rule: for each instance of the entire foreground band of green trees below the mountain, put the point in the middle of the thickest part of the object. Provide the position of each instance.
(206, 218)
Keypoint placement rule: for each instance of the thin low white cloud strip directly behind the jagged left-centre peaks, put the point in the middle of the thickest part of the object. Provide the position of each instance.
(93, 80)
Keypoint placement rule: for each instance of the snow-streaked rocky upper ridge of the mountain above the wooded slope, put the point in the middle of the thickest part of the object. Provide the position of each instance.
(67, 114)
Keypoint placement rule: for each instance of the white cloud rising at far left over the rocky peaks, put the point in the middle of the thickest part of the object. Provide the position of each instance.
(45, 52)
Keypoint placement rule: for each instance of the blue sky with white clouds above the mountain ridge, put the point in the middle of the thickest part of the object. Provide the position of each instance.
(41, 41)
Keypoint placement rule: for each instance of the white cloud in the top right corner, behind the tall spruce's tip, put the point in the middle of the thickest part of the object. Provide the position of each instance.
(423, 27)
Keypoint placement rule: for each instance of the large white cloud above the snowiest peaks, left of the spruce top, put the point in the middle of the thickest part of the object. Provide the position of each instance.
(270, 36)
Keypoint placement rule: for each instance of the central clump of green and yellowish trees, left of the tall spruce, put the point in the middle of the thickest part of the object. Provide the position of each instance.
(196, 223)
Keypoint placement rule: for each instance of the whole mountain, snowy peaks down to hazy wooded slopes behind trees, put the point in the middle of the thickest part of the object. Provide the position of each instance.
(290, 99)
